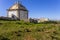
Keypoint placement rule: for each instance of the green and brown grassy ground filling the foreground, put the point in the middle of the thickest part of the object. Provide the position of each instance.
(19, 30)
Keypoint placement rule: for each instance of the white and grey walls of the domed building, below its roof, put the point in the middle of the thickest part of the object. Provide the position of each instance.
(22, 16)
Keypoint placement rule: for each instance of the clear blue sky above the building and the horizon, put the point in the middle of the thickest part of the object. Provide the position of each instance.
(37, 8)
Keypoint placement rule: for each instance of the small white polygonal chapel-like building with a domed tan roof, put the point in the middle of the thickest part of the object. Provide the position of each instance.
(18, 12)
